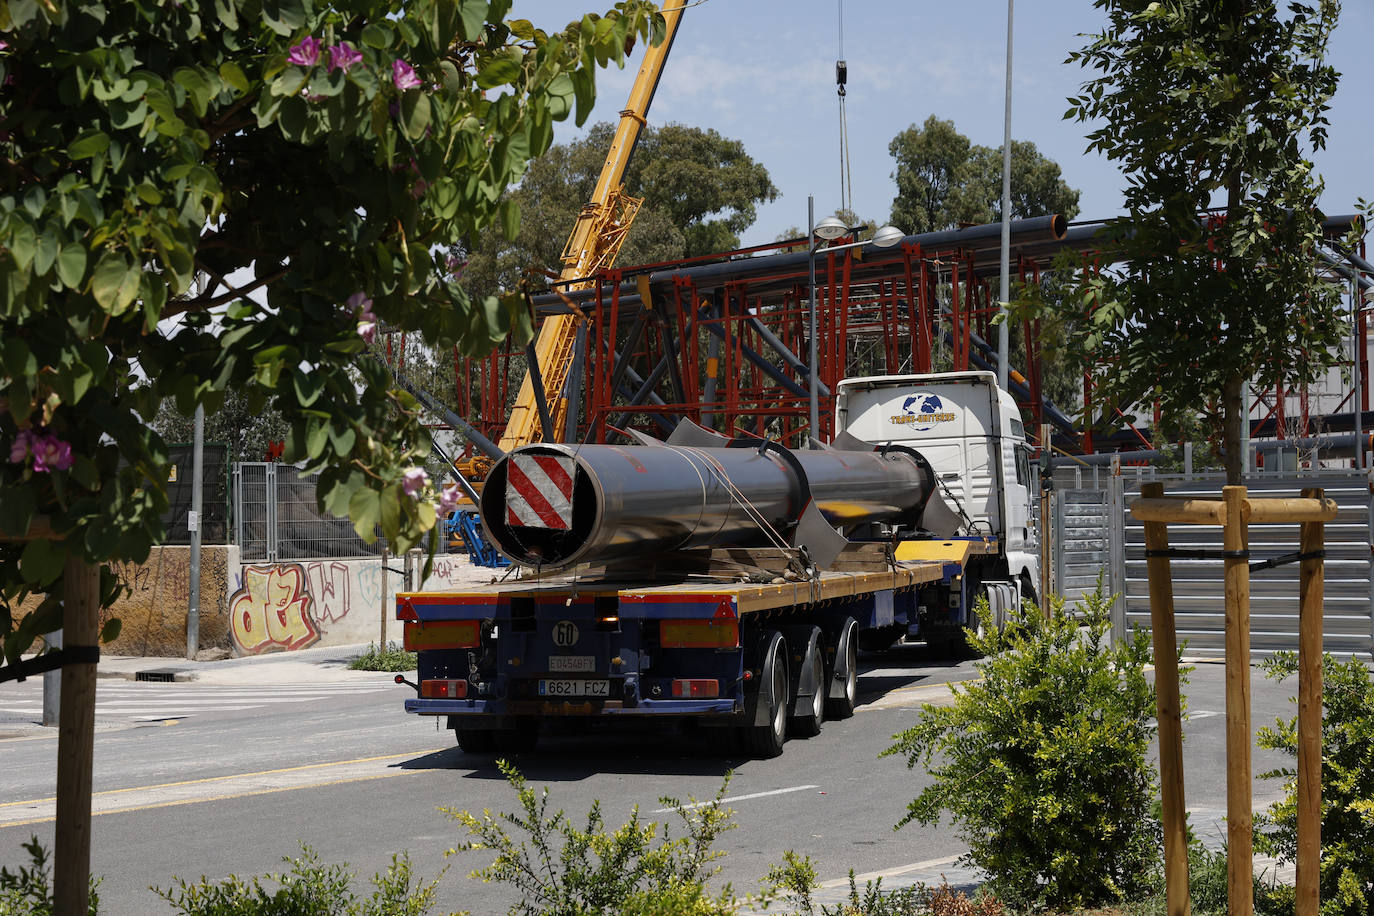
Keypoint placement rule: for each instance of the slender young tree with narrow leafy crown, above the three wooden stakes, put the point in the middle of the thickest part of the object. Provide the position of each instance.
(1206, 102)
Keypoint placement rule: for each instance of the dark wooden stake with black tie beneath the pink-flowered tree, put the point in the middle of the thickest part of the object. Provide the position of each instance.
(76, 741)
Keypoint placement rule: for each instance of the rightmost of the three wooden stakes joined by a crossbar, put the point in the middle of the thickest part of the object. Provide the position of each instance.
(1310, 719)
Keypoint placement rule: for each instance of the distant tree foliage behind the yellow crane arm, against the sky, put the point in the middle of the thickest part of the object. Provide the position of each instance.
(700, 190)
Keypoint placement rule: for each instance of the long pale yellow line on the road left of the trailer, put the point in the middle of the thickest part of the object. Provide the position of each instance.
(212, 789)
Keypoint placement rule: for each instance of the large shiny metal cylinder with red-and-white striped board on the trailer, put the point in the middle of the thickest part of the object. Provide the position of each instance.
(557, 506)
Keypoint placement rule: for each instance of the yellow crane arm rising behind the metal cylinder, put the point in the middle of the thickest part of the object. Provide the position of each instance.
(596, 240)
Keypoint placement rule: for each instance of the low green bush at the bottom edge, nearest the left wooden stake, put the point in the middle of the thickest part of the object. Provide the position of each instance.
(308, 889)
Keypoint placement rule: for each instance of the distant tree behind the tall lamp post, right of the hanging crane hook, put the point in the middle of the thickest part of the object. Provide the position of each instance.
(946, 181)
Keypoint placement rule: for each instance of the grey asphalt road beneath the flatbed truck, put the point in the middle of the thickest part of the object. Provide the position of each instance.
(197, 779)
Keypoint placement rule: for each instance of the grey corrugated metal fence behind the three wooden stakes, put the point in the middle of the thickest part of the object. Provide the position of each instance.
(1096, 535)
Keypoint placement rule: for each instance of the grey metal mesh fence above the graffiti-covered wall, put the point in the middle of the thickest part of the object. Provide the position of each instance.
(275, 518)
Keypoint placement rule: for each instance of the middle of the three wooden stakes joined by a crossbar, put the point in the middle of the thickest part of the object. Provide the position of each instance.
(1240, 854)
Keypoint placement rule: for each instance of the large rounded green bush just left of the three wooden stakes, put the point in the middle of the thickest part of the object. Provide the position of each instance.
(1042, 763)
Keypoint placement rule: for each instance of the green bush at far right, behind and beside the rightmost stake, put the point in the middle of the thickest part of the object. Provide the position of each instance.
(1347, 885)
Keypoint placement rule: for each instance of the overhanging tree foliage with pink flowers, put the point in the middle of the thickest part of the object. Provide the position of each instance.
(280, 176)
